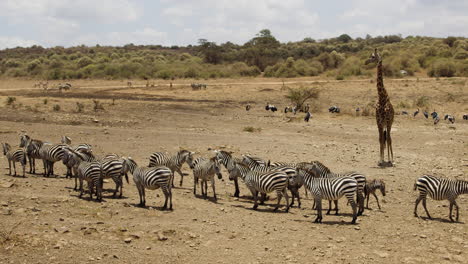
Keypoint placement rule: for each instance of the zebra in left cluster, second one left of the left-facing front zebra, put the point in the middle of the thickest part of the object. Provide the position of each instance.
(91, 172)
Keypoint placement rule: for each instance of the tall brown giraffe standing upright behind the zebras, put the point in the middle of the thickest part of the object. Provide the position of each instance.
(384, 112)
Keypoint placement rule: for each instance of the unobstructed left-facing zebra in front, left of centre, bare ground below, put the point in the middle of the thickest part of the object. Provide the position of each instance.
(151, 178)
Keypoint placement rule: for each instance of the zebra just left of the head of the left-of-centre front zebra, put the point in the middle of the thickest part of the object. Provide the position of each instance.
(114, 168)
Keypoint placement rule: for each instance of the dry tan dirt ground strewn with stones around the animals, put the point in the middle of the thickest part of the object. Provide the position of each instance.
(43, 220)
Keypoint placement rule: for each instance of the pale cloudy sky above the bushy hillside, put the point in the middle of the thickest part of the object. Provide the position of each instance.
(181, 22)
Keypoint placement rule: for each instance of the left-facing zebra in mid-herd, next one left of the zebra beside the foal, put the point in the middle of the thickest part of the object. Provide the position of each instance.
(262, 182)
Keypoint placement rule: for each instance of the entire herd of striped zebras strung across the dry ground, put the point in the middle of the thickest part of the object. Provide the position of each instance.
(260, 176)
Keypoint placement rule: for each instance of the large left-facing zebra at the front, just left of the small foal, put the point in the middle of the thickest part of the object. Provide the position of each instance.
(329, 189)
